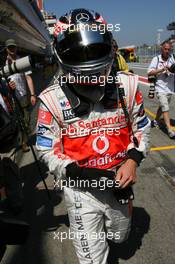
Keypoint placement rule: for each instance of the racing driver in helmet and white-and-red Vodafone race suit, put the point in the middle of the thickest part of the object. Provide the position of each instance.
(91, 130)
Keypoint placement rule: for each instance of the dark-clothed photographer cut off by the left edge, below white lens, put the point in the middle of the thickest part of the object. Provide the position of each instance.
(10, 141)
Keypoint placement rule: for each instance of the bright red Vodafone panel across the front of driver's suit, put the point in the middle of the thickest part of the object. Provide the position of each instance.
(103, 151)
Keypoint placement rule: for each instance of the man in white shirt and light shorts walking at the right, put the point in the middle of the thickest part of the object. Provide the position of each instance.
(160, 68)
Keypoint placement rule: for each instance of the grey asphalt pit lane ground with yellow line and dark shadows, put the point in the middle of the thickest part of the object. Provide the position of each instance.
(152, 239)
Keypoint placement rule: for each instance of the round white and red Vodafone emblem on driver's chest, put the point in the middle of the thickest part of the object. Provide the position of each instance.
(100, 144)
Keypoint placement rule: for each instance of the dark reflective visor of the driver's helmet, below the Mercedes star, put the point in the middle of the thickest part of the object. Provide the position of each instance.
(83, 46)
